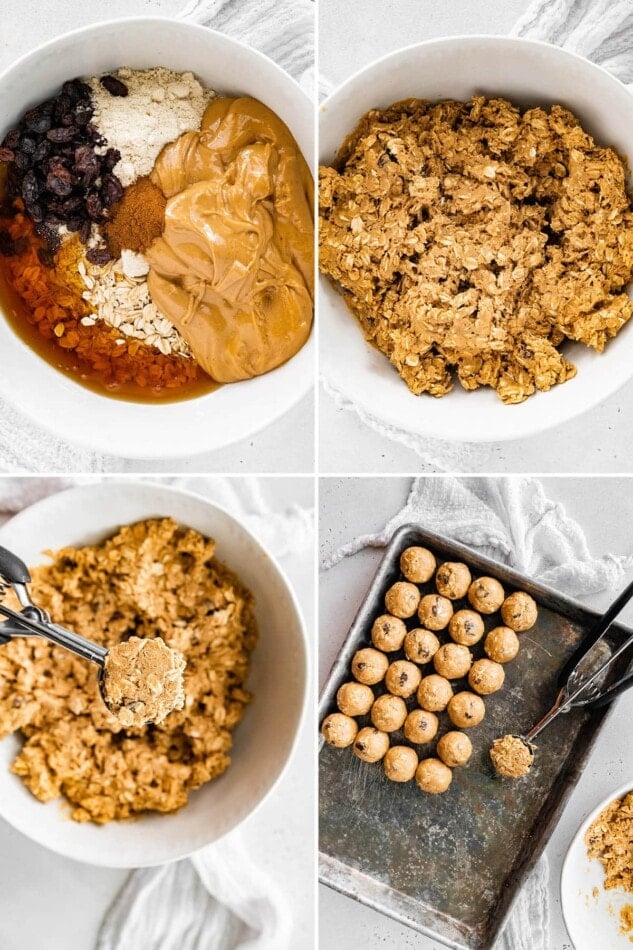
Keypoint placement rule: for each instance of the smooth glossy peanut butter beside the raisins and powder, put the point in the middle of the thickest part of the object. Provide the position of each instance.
(233, 269)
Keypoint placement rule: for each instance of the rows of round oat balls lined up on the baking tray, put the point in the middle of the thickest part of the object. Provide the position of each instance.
(452, 660)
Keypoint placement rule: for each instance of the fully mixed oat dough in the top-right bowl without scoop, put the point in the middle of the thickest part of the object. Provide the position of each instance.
(473, 239)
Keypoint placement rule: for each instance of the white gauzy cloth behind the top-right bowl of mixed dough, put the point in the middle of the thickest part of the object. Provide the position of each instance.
(601, 31)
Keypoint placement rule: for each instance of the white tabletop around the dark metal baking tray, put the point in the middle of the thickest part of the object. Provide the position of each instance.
(348, 507)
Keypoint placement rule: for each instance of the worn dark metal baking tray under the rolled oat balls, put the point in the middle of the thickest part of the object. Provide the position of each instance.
(451, 865)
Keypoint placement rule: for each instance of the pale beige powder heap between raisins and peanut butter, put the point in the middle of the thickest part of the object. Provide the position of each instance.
(160, 106)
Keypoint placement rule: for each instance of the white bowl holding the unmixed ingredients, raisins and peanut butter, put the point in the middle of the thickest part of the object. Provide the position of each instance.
(142, 430)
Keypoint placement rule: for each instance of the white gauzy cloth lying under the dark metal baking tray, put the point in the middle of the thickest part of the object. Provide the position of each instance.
(513, 521)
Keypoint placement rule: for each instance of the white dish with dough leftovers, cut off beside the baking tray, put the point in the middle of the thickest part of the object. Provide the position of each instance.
(592, 921)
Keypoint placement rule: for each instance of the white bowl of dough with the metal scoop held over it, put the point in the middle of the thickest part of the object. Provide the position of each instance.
(263, 740)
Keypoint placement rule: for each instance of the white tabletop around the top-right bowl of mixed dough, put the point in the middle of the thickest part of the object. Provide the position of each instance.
(351, 36)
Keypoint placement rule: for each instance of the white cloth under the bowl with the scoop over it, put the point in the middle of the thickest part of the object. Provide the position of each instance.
(218, 899)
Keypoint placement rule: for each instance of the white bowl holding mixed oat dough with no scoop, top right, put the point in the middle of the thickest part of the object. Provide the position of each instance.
(527, 73)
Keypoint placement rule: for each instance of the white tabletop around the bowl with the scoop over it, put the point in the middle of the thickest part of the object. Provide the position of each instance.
(49, 901)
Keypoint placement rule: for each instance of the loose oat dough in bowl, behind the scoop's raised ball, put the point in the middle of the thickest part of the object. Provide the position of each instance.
(150, 579)
